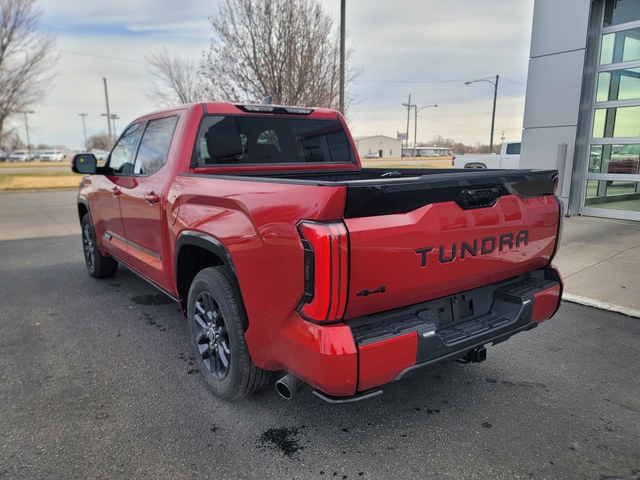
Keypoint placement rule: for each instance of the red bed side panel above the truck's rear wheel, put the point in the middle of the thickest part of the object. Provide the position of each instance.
(256, 221)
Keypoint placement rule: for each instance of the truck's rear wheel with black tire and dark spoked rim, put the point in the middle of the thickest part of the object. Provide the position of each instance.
(216, 336)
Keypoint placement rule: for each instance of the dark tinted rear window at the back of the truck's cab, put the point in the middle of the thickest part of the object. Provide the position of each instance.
(243, 139)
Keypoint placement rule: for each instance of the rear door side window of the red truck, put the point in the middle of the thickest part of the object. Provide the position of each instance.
(154, 146)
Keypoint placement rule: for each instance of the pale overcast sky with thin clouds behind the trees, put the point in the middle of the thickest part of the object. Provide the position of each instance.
(427, 48)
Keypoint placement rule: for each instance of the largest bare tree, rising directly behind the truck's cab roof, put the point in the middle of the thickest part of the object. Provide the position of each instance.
(288, 49)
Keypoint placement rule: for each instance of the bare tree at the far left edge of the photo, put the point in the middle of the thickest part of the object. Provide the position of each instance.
(27, 57)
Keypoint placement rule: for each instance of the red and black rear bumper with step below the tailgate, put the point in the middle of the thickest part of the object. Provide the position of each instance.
(353, 358)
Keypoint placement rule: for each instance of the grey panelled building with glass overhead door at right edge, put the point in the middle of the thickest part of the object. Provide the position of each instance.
(583, 98)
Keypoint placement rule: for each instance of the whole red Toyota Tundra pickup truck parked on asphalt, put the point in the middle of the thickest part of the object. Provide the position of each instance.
(285, 254)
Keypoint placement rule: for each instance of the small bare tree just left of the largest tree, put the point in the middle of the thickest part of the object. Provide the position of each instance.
(177, 80)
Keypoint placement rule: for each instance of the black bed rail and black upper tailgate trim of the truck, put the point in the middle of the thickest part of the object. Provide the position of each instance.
(379, 191)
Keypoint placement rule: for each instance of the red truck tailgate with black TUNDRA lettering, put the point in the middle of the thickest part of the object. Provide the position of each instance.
(443, 248)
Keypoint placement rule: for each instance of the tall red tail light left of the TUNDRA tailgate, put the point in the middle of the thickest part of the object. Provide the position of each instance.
(326, 270)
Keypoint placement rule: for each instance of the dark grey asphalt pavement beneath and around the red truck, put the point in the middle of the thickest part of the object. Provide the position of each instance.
(97, 381)
